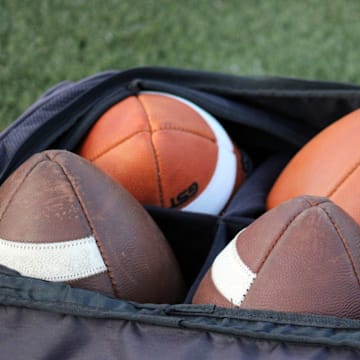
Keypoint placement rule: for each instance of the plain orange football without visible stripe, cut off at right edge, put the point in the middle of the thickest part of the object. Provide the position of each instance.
(328, 165)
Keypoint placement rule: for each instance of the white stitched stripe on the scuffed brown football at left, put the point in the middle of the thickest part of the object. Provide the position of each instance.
(58, 261)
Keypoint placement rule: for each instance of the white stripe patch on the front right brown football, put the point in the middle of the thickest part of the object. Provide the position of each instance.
(230, 274)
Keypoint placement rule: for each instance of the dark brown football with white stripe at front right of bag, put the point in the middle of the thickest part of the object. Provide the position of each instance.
(302, 256)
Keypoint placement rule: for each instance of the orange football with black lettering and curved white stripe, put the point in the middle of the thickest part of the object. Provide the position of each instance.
(167, 152)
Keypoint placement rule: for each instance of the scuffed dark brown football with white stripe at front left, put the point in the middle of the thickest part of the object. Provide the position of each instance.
(62, 219)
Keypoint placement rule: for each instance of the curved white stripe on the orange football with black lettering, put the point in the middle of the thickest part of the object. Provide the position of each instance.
(220, 187)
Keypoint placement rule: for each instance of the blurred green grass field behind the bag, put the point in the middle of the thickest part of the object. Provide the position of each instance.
(44, 42)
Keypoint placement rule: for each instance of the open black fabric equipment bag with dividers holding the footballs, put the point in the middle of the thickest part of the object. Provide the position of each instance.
(271, 119)
